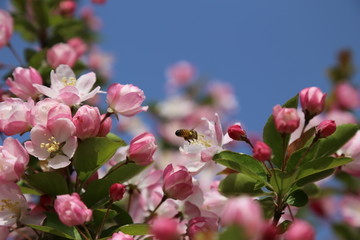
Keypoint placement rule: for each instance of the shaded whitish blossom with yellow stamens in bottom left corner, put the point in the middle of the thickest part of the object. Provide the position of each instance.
(13, 204)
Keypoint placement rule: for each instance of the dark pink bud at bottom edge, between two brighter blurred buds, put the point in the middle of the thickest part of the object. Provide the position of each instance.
(201, 224)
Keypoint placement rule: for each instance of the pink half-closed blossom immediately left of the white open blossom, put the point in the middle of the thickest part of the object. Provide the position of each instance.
(22, 85)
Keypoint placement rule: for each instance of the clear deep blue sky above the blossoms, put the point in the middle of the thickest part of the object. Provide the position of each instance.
(268, 50)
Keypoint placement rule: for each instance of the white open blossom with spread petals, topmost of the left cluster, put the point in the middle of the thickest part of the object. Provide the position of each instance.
(67, 89)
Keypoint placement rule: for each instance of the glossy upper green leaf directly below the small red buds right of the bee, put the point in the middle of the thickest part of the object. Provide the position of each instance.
(243, 163)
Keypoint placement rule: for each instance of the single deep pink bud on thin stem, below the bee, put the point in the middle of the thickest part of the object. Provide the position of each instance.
(177, 182)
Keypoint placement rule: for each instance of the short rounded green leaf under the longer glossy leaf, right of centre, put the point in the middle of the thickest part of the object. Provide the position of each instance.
(238, 183)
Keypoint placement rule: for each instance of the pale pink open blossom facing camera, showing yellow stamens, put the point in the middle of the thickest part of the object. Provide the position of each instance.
(55, 142)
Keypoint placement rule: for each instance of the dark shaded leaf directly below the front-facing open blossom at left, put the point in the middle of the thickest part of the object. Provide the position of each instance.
(50, 183)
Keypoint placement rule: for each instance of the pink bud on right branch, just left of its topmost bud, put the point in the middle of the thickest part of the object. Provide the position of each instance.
(286, 119)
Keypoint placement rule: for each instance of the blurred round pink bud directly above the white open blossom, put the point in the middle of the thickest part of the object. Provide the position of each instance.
(61, 53)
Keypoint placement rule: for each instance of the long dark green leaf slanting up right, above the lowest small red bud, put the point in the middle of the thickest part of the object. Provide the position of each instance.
(99, 189)
